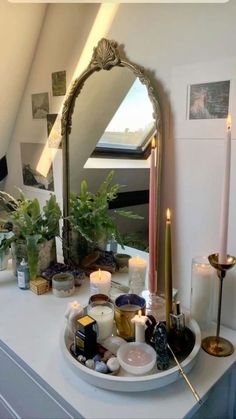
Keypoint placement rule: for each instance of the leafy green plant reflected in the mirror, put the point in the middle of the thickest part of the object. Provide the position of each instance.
(91, 219)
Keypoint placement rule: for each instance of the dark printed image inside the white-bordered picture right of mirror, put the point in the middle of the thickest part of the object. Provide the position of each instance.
(209, 100)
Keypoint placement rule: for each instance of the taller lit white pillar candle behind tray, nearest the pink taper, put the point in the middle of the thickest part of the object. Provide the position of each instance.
(137, 274)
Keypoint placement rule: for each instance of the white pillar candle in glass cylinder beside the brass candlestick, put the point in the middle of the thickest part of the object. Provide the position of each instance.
(202, 278)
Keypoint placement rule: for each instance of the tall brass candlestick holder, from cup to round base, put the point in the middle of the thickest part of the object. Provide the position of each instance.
(216, 345)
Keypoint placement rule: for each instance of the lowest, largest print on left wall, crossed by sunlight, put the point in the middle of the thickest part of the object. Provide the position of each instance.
(31, 153)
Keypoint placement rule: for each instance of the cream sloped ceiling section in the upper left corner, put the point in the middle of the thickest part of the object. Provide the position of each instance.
(20, 26)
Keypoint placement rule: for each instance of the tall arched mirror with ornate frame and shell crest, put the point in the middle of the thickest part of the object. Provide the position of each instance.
(111, 106)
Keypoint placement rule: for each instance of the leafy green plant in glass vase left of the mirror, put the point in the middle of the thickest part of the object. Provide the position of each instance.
(34, 230)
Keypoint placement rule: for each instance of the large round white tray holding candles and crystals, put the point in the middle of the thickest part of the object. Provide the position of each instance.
(128, 383)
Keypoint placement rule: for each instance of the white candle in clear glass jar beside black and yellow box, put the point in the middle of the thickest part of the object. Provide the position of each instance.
(104, 316)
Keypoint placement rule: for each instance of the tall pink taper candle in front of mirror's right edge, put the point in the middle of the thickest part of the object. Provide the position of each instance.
(152, 220)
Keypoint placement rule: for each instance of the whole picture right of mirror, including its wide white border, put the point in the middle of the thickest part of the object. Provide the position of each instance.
(202, 95)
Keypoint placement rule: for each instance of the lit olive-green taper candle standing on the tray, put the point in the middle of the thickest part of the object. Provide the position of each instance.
(168, 270)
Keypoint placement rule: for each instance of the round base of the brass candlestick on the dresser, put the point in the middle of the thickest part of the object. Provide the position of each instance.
(217, 346)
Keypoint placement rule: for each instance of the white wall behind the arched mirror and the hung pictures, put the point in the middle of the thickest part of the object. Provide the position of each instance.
(161, 38)
